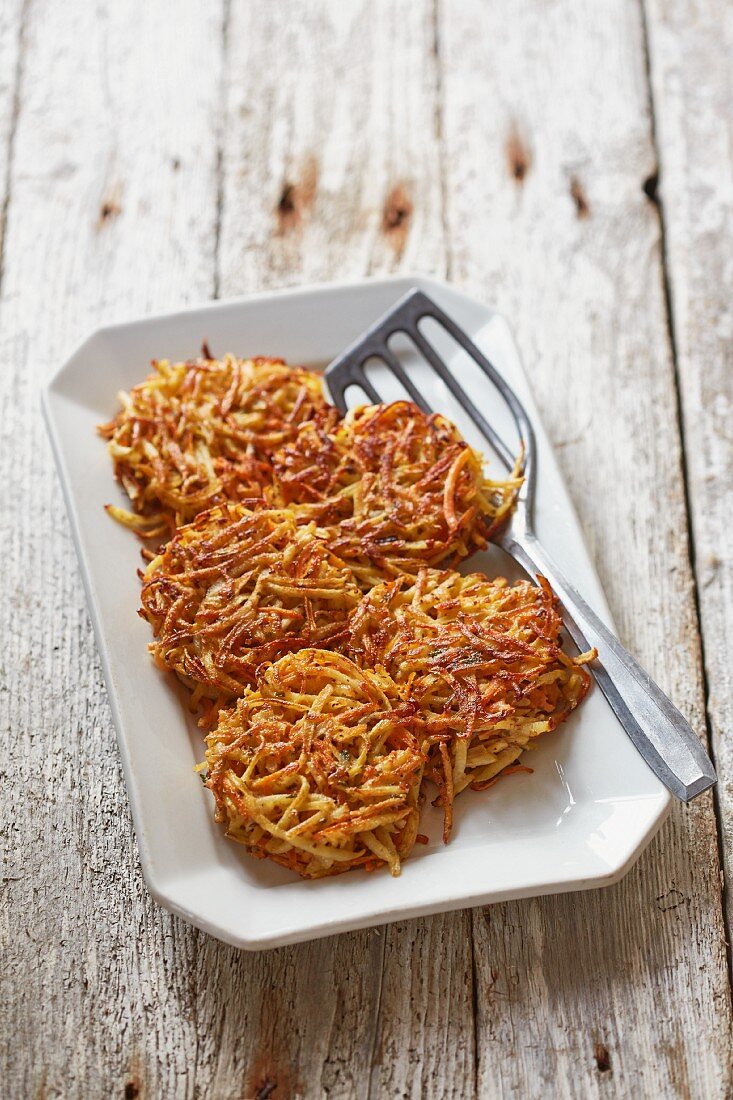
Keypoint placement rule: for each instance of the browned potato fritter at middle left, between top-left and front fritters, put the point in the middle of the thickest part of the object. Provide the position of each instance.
(238, 589)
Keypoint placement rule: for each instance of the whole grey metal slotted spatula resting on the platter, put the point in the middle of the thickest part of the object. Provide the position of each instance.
(655, 727)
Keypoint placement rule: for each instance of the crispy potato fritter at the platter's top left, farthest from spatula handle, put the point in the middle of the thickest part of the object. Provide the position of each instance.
(202, 433)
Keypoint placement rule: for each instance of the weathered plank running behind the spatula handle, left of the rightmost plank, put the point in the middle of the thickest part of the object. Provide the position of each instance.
(549, 148)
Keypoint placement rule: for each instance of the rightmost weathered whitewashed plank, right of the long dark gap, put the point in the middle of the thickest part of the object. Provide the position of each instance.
(691, 50)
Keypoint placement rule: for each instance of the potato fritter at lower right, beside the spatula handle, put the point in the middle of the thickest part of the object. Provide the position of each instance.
(482, 662)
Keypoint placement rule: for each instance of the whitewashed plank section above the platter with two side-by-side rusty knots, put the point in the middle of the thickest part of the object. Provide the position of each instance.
(331, 140)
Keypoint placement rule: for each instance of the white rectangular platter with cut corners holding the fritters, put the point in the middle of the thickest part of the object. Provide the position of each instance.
(578, 821)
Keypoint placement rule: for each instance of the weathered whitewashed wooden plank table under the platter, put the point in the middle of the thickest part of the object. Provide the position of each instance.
(571, 163)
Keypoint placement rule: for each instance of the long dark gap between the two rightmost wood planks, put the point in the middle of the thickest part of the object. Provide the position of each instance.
(657, 199)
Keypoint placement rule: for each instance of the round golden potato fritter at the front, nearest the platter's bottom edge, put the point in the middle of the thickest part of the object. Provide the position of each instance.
(319, 769)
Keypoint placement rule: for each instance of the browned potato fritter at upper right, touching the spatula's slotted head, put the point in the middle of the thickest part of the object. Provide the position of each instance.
(393, 488)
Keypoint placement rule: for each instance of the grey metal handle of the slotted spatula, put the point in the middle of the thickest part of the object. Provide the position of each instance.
(657, 728)
